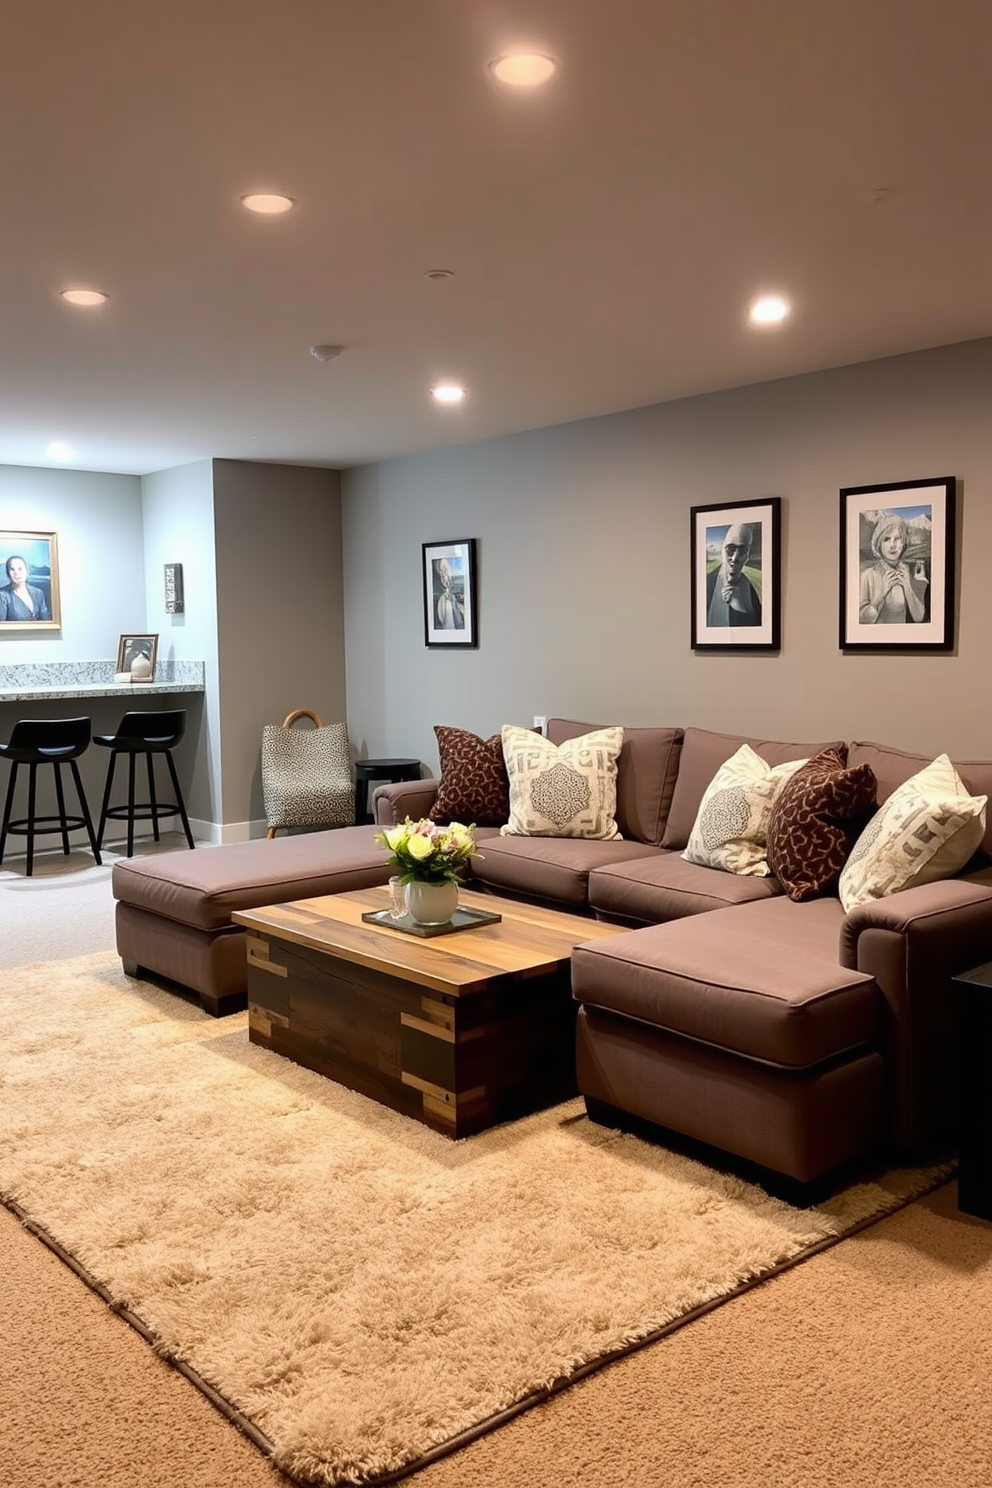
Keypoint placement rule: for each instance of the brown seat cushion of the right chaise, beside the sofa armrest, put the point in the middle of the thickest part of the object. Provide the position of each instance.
(762, 981)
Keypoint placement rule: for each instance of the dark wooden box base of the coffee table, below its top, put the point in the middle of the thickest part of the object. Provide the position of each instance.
(459, 1065)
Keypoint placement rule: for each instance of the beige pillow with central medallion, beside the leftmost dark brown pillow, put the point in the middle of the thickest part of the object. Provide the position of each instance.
(563, 789)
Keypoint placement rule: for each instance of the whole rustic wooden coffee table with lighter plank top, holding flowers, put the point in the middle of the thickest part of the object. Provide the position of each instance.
(460, 1032)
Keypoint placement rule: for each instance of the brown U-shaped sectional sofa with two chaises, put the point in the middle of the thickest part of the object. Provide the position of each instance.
(790, 1035)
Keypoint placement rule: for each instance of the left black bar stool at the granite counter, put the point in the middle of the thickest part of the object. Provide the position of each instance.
(57, 743)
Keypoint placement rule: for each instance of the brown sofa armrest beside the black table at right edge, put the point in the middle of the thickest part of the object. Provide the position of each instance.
(914, 944)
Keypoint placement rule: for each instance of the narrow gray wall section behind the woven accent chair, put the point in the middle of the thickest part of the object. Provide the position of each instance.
(280, 614)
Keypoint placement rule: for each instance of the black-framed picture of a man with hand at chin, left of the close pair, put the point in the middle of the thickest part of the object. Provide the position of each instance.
(735, 575)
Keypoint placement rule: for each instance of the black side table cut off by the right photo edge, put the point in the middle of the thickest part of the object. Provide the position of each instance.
(973, 992)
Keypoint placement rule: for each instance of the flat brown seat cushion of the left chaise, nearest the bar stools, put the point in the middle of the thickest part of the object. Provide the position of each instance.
(203, 889)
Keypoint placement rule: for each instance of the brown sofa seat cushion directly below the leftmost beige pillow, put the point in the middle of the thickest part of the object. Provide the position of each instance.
(551, 868)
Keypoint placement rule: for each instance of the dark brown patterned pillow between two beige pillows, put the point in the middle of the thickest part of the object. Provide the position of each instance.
(816, 822)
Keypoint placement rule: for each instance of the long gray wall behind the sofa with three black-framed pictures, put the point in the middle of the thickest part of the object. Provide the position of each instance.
(584, 565)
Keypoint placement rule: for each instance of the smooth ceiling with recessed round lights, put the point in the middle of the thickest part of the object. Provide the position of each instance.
(606, 233)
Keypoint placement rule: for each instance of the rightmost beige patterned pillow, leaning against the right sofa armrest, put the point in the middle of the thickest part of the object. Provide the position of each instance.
(926, 831)
